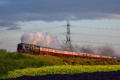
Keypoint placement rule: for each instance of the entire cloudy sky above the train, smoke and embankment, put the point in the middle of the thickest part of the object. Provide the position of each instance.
(93, 22)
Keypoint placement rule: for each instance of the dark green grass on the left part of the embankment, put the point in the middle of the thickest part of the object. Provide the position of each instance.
(11, 61)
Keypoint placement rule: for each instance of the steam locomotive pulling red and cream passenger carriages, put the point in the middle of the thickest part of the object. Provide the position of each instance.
(37, 50)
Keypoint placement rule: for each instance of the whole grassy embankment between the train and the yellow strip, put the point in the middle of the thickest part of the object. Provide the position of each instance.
(11, 61)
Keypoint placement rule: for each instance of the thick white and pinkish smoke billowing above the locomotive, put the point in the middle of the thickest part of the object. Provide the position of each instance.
(41, 39)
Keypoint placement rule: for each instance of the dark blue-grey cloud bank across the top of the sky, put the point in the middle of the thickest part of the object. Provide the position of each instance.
(13, 11)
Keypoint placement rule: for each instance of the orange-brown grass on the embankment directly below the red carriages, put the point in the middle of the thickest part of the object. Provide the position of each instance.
(59, 60)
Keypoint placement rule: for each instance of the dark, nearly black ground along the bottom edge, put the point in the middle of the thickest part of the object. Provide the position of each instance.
(85, 76)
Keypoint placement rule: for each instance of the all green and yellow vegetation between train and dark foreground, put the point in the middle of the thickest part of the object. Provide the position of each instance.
(10, 62)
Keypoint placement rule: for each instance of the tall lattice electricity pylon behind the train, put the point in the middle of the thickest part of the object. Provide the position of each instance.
(68, 35)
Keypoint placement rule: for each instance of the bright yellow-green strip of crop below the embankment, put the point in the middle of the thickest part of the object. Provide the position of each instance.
(61, 70)
